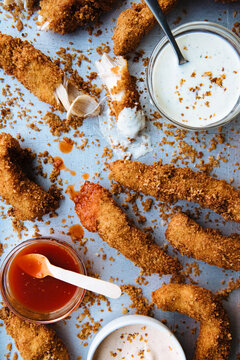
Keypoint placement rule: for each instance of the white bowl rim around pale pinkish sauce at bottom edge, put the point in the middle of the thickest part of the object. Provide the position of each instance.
(132, 320)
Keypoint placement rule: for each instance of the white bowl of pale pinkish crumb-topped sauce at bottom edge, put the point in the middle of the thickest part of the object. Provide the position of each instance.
(135, 337)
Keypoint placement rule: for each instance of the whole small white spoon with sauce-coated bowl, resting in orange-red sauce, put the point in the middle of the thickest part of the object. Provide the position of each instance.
(38, 266)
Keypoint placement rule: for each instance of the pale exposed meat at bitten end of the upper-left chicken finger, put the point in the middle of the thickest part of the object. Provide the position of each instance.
(76, 102)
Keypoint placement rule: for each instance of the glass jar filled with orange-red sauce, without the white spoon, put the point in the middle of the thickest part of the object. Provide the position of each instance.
(44, 300)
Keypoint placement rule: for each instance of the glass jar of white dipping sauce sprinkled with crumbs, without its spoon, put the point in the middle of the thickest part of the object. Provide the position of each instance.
(205, 92)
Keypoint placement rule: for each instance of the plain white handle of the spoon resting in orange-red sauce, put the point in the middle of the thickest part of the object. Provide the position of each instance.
(86, 282)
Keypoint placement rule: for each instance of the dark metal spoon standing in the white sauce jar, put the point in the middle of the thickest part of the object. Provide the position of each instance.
(157, 12)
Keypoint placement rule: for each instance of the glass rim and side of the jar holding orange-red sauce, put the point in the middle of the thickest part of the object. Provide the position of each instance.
(53, 316)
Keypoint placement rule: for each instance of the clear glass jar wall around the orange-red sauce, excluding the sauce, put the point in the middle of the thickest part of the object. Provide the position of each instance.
(22, 311)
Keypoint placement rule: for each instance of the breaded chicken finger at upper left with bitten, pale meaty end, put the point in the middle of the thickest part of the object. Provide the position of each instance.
(42, 77)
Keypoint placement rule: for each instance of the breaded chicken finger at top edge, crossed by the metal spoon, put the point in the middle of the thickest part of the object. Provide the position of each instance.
(134, 23)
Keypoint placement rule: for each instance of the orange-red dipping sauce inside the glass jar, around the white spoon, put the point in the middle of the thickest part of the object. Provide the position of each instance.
(47, 294)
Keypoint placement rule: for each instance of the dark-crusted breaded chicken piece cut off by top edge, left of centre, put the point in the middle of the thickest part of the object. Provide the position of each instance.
(65, 16)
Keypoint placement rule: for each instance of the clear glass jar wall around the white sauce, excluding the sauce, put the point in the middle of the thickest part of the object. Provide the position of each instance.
(199, 26)
